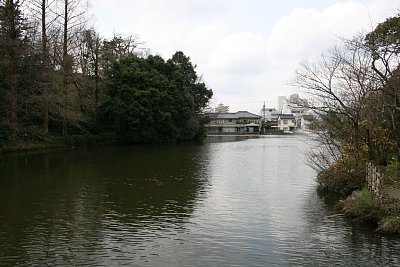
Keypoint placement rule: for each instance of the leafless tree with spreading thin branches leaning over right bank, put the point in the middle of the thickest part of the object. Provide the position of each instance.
(338, 86)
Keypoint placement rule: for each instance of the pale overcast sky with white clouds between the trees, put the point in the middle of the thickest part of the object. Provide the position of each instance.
(246, 50)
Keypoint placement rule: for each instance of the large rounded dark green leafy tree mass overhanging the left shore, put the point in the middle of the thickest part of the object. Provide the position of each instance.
(151, 100)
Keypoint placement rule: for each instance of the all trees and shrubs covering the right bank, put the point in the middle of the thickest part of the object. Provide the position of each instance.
(355, 93)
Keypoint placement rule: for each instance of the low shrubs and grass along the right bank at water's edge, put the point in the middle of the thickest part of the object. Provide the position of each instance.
(348, 179)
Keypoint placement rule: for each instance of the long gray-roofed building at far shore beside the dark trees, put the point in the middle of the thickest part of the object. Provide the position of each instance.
(241, 122)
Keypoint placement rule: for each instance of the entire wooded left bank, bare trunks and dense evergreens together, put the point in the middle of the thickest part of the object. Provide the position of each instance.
(58, 78)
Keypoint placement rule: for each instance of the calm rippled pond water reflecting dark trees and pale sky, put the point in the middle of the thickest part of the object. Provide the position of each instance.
(246, 203)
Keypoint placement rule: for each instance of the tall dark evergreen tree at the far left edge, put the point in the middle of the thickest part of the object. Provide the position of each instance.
(15, 55)
